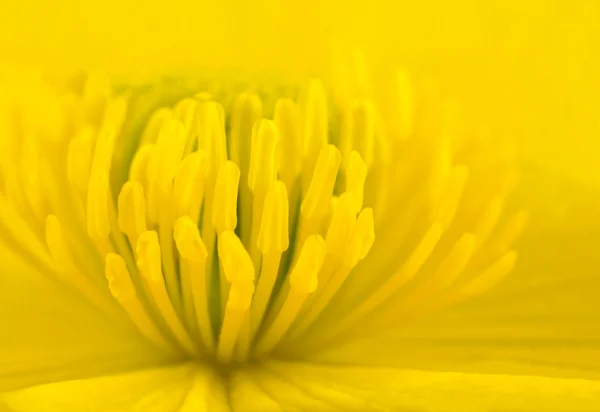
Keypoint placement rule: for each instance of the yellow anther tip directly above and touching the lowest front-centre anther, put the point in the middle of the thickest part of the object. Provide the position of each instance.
(236, 261)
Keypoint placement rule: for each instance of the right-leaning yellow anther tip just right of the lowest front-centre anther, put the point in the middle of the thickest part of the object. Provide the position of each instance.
(303, 277)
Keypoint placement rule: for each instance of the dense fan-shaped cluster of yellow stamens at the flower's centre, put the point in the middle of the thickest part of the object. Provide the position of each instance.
(246, 228)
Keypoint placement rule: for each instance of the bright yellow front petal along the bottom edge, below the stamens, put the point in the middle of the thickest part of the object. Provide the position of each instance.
(302, 386)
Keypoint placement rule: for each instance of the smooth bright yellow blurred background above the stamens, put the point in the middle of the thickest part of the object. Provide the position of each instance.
(534, 65)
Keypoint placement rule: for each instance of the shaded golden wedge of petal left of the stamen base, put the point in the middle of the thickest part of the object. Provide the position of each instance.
(49, 333)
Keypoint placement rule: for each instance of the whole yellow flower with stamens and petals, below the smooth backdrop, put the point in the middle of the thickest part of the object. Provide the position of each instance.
(233, 240)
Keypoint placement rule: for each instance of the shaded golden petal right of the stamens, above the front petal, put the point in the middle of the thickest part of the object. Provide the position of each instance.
(543, 319)
